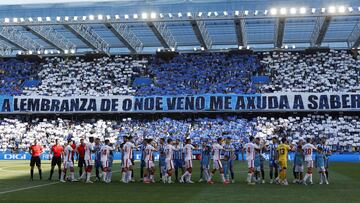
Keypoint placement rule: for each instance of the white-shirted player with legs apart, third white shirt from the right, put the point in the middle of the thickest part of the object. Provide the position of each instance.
(216, 150)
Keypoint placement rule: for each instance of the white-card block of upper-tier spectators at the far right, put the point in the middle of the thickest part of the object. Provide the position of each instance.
(319, 72)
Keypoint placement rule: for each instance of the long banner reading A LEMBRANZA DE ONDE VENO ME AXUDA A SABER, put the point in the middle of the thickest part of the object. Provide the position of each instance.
(271, 102)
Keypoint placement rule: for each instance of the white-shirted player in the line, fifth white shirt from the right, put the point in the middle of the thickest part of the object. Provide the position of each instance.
(169, 151)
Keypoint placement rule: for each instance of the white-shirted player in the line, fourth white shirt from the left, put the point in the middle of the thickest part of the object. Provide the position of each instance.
(127, 156)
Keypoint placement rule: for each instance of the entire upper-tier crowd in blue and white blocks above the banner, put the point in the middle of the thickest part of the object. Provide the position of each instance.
(185, 74)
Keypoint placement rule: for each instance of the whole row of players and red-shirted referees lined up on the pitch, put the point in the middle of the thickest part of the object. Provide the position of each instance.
(173, 155)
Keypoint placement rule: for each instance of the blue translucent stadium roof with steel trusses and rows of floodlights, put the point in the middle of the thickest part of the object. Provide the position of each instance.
(144, 26)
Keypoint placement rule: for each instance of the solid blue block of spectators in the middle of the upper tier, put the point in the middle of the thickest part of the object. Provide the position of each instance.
(201, 73)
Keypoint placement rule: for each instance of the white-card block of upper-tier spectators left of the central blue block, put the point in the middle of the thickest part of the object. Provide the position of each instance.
(102, 76)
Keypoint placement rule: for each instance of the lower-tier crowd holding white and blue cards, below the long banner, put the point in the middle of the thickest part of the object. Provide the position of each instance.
(342, 133)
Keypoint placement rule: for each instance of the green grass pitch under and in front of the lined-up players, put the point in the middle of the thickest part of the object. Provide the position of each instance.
(15, 187)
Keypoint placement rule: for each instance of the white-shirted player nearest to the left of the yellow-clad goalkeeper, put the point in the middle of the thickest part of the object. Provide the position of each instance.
(250, 157)
